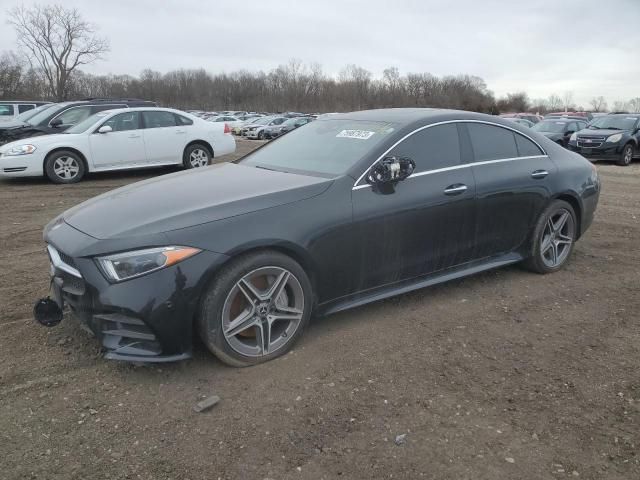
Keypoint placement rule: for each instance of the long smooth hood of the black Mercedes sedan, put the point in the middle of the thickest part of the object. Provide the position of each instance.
(189, 198)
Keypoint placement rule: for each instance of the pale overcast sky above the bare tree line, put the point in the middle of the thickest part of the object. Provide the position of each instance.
(589, 47)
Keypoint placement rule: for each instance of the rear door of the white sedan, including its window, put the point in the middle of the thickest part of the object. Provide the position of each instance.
(164, 139)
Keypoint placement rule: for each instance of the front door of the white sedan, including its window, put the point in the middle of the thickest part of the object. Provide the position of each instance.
(123, 146)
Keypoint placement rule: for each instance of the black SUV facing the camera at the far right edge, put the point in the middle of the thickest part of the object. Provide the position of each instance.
(611, 137)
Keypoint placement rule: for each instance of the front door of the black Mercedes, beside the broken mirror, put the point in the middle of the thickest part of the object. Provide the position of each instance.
(425, 223)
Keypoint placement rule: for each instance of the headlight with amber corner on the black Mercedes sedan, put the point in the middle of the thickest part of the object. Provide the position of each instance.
(123, 266)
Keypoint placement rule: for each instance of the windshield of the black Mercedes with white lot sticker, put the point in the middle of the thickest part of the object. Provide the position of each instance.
(326, 148)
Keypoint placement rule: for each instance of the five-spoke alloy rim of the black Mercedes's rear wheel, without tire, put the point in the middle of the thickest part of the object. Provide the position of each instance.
(557, 238)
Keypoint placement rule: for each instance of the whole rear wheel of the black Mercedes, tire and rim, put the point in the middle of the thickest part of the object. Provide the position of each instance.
(553, 238)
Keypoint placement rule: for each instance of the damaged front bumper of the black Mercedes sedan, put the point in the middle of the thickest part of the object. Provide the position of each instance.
(145, 319)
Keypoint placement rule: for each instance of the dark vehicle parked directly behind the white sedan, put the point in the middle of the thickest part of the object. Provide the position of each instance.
(65, 115)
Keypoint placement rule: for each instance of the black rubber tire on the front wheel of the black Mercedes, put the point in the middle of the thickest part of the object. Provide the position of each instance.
(220, 294)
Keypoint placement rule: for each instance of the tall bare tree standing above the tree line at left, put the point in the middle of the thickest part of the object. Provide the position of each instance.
(58, 40)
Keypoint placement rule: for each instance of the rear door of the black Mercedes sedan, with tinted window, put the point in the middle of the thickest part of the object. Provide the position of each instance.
(512, 176)
